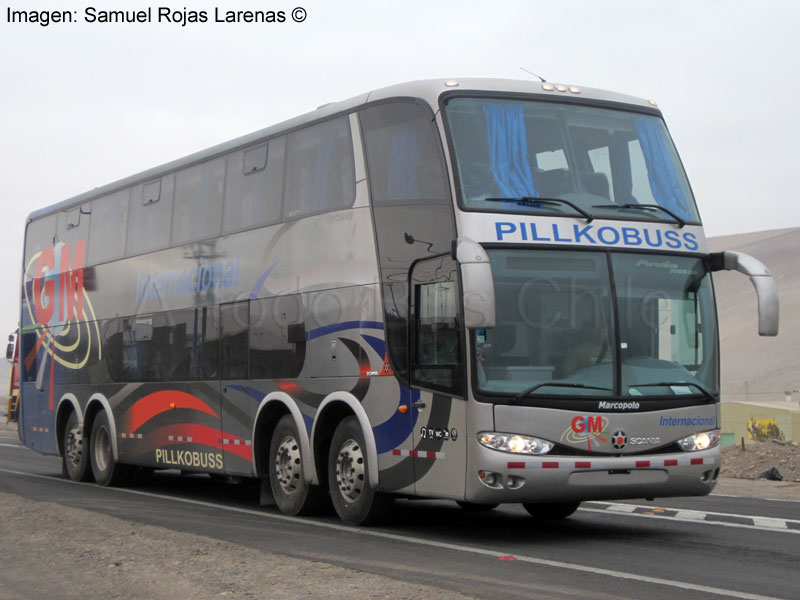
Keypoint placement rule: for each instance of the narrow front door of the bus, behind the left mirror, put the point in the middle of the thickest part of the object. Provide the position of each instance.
(437, 372)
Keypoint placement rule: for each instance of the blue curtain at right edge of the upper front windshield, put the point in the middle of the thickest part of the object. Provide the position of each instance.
(665, 181)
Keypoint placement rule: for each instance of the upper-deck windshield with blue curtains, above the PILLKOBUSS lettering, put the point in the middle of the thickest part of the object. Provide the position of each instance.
(605, 162)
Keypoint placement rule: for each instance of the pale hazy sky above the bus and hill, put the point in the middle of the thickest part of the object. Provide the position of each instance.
(84, 104)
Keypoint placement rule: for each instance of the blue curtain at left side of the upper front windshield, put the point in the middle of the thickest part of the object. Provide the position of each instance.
(508, 149)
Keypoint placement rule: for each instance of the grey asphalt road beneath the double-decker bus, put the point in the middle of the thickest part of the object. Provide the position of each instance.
(712, 547)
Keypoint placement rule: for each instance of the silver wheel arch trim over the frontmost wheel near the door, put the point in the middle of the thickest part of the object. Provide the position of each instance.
(334, 408)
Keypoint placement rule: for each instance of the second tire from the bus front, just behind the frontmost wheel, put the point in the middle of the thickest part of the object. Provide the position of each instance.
(285, 471)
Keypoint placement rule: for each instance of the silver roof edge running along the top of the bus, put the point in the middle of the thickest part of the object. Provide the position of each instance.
(429, 90)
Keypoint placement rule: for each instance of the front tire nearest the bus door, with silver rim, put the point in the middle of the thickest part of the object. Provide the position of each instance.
(354, 499)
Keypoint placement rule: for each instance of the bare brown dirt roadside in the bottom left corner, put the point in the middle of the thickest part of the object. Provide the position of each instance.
(44, 546)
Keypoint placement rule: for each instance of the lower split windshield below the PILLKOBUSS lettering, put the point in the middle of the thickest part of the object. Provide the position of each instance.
(587, 324)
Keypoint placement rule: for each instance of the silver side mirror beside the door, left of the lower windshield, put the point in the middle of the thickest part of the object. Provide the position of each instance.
(477, 284)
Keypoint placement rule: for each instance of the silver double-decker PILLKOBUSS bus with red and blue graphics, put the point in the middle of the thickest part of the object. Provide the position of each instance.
(486, 291)
